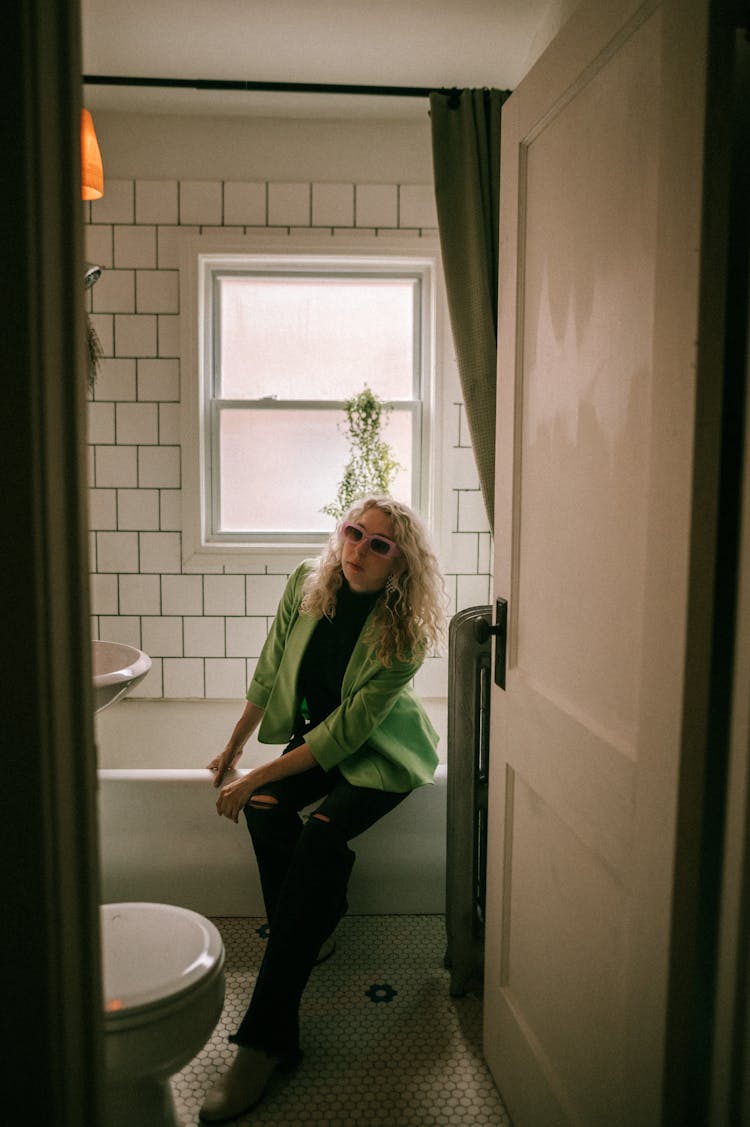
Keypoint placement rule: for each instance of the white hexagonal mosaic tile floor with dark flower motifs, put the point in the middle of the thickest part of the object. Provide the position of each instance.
(414, 1060)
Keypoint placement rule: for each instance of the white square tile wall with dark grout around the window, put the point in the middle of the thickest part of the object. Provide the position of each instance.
(205, 633)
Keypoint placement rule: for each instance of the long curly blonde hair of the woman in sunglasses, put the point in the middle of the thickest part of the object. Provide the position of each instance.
(409, 619)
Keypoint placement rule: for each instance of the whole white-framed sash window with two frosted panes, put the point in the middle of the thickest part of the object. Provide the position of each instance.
(280, 340)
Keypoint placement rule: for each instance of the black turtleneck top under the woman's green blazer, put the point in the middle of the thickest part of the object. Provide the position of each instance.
(327, 658)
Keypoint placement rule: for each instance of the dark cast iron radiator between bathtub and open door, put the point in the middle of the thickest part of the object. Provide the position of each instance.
(469, 762)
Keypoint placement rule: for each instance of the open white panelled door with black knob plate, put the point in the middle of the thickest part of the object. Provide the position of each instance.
(601, 238)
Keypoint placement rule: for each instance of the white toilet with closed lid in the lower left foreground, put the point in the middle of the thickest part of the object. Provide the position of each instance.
(164, 989)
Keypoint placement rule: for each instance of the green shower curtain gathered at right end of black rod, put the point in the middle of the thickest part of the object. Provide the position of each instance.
(466, 129)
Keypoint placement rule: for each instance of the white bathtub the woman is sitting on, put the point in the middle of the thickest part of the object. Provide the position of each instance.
(162, 840)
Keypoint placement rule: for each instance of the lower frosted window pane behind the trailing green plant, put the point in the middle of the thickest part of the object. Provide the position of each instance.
(279, 468)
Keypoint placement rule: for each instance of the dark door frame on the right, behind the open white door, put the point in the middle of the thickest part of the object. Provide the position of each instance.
(710, 1015)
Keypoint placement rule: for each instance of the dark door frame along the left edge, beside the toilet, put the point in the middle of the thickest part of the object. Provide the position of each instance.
(50, 876)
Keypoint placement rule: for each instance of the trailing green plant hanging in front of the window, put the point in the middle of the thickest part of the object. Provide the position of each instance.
(372, 467)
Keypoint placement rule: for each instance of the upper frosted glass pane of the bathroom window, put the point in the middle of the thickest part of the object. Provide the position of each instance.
(323, 339)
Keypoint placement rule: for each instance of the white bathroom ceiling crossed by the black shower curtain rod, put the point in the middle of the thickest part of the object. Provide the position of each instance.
(422, 43)
